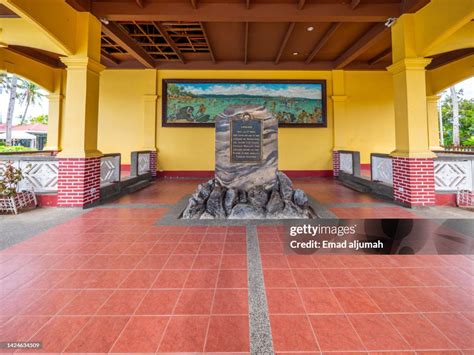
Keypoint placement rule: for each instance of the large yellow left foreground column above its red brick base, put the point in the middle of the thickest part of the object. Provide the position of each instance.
(80, 122)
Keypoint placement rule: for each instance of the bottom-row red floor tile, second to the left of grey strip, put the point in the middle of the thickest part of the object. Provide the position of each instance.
(185, 334)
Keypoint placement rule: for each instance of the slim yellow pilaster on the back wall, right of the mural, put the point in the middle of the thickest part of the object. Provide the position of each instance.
(339, 108)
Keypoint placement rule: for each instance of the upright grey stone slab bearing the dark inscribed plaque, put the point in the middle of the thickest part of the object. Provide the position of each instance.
(246, 147)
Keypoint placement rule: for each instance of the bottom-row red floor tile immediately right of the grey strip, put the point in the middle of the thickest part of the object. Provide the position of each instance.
(292, 333)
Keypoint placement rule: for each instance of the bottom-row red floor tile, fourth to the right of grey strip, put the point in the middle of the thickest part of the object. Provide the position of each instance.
(419, 332)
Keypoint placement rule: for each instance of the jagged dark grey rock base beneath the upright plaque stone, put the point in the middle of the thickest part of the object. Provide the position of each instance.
(213, 201)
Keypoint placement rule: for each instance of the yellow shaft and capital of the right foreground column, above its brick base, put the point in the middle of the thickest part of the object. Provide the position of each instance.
(411, 124)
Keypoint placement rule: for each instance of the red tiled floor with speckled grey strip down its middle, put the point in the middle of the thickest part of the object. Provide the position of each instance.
(124, 278)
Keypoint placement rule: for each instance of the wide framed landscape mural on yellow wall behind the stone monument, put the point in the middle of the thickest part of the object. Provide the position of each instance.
(198, 102)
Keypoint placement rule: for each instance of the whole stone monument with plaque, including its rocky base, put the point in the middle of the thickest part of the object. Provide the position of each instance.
(248, 184)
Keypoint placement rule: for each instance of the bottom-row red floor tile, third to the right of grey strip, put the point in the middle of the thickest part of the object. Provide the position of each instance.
(377, 333)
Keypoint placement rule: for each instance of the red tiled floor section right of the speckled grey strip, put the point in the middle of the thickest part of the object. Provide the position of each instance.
(359, 303)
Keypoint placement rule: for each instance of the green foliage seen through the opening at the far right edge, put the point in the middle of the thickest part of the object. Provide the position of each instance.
(466, 119)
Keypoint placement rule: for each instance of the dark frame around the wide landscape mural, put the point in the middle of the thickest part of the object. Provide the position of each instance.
(164, 92)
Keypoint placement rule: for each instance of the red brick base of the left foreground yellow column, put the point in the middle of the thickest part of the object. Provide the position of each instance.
(78, 182)
